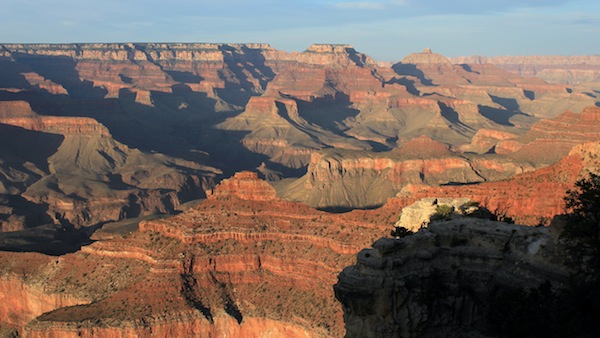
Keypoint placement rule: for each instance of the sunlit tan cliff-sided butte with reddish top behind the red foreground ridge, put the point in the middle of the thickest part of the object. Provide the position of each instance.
(341, 180)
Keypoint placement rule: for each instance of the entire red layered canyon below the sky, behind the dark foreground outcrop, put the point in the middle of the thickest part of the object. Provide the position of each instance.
(219, 189)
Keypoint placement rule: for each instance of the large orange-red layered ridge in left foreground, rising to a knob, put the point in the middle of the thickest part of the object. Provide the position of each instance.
(241, 263)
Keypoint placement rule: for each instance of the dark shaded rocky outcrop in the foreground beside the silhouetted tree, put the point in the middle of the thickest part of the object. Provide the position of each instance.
(439, 281)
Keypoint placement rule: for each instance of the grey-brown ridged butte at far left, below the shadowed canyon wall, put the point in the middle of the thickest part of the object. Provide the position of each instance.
(85, 177)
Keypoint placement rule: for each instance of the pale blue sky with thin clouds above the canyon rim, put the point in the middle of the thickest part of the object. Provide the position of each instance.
(387, 30)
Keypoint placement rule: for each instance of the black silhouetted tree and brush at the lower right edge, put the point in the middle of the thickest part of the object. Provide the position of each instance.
(572, 310)
